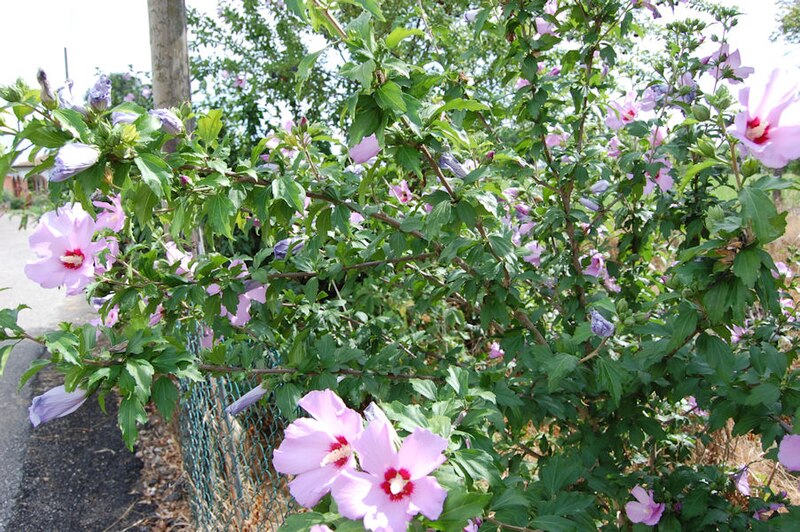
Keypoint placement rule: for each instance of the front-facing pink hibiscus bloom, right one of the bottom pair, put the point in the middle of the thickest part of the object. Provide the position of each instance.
(395, 485)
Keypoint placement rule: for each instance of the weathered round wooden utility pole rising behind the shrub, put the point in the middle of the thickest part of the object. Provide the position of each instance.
(169, 52)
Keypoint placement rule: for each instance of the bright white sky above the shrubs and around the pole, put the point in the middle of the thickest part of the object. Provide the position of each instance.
(109, 35)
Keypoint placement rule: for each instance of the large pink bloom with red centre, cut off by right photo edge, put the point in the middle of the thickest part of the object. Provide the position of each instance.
(770, 124)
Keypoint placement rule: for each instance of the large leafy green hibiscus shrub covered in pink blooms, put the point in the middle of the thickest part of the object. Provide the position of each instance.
(543, 265)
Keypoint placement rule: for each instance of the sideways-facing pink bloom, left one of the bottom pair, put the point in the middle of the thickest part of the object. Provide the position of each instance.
(319, 449)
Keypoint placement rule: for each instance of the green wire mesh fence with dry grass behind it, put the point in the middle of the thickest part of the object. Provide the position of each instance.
(228, 459)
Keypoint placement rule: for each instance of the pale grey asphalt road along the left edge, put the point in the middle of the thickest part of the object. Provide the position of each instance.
(48, 307)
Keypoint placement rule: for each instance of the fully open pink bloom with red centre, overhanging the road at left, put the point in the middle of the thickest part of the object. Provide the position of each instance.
(65, 253)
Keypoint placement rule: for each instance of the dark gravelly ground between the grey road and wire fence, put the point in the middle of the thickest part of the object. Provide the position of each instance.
(77, 474)
